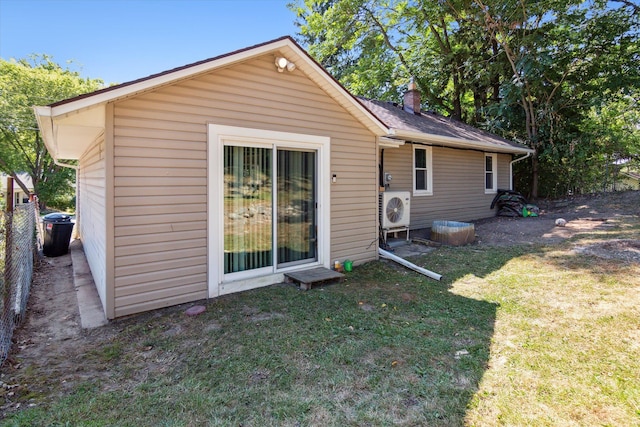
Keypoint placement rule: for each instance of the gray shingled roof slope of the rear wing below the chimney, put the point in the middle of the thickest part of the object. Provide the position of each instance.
(395, 117)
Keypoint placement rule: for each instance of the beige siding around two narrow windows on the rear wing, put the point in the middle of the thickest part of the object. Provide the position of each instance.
(458, 184)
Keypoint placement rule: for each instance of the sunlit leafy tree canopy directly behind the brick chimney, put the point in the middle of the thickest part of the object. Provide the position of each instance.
(376, 47)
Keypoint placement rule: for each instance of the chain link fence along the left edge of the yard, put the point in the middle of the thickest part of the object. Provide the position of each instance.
(18, 237)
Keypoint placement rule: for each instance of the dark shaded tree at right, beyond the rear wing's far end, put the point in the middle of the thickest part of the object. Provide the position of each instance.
(564, 60)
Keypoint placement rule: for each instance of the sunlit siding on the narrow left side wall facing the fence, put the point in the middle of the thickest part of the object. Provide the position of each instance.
(91, 213)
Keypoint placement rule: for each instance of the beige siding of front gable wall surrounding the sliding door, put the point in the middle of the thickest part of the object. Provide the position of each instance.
(160, 174)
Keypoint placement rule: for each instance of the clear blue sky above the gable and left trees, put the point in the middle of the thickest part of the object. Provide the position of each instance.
(122, 40)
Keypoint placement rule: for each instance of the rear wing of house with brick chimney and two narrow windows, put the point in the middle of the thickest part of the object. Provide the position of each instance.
(452, 170)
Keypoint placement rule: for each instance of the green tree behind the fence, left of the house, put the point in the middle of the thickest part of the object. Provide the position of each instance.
(24, 84)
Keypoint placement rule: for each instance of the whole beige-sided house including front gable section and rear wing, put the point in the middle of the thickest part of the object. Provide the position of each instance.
(222, 175)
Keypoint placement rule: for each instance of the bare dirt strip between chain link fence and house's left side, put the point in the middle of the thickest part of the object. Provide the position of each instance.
(50, 342)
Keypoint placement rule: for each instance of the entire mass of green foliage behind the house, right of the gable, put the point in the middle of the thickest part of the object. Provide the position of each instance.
(537, 72)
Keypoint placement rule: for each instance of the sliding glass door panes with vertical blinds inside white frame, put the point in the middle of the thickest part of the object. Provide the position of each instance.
(260, 184)
